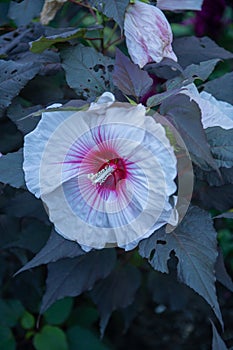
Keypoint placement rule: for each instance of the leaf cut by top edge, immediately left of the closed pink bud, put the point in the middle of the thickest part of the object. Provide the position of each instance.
(112, 8)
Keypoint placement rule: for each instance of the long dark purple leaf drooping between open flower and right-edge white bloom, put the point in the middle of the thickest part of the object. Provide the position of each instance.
(186, 116)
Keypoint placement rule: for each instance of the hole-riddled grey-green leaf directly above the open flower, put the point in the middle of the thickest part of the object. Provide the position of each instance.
(87, 71)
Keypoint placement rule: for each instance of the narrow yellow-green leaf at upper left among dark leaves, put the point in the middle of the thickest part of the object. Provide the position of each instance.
(45, 42)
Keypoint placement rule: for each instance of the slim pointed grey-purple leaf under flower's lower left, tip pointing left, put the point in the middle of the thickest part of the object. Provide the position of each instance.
(55, 249)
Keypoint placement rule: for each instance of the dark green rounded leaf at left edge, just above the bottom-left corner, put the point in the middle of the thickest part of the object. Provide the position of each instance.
(10, 310)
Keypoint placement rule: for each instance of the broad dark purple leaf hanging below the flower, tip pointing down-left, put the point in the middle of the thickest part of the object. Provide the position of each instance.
(71, 277)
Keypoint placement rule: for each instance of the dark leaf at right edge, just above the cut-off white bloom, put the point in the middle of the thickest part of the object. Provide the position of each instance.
(221, 87)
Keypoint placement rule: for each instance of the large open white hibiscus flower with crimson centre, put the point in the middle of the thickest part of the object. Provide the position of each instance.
(105, 174)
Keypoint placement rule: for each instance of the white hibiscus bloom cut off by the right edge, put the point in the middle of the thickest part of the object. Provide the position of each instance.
(213, 112)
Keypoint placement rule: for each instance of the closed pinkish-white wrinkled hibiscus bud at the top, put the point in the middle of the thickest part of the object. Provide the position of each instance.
(148, 34)
